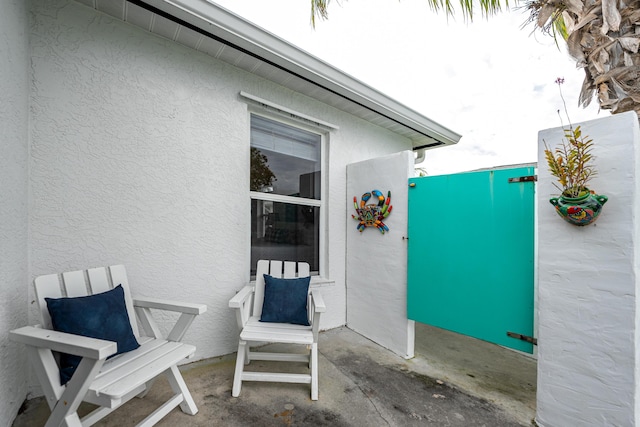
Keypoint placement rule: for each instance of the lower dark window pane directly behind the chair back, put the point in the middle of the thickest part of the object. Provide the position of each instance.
(284, 231)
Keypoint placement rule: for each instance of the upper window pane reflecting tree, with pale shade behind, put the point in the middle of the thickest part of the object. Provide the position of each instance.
(284, 160)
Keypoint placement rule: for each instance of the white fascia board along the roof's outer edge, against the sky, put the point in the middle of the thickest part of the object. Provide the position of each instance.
(228, 26)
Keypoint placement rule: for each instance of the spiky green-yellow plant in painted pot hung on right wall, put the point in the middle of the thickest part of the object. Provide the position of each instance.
(573, 166)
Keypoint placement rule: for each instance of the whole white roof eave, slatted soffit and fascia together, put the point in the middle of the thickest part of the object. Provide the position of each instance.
(211, 29)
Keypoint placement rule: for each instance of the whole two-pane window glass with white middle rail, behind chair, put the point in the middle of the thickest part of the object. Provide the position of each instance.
(285, 188)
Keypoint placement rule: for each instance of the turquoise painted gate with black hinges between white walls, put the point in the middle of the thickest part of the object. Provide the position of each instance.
(471, 254)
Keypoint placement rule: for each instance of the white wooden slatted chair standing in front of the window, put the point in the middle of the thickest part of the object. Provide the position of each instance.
(248, 304)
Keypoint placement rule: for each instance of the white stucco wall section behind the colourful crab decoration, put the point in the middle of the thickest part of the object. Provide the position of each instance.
(377, 263)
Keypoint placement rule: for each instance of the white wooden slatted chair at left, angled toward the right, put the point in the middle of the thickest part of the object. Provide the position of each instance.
(107, 383)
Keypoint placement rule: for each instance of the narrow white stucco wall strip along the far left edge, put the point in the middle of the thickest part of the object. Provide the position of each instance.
(14, 115)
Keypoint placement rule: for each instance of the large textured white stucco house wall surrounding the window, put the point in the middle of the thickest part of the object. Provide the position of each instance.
(139, 155)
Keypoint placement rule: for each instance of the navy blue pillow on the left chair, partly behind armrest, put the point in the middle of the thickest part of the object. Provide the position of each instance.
(103, 316)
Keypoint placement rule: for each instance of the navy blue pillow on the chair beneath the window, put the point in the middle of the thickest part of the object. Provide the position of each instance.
(285, 300)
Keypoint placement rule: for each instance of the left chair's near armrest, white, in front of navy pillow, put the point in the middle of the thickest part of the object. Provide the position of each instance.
(65, 343)
